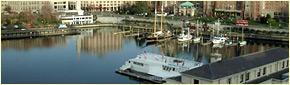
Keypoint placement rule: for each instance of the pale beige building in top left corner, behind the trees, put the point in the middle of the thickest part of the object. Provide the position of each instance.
(20, 6)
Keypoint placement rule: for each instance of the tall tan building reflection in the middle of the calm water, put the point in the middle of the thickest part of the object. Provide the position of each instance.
(100, 42)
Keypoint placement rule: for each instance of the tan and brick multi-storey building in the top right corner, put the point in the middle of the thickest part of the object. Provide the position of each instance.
(246, 9)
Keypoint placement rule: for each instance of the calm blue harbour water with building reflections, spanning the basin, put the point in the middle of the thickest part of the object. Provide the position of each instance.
(93, 57)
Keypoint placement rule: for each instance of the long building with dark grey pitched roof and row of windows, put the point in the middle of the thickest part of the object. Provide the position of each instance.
(251, 68)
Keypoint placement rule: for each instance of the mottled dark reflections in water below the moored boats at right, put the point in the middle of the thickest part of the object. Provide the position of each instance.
(208, 54)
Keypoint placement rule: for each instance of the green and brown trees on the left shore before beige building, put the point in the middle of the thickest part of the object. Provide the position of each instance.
(29, 19)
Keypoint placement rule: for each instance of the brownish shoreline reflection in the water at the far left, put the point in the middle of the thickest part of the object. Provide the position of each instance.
(27, 44)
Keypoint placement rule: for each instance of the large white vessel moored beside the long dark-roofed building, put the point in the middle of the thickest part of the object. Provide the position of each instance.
(159, 65)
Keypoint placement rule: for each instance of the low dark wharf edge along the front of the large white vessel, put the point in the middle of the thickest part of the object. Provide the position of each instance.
(147, 77)
